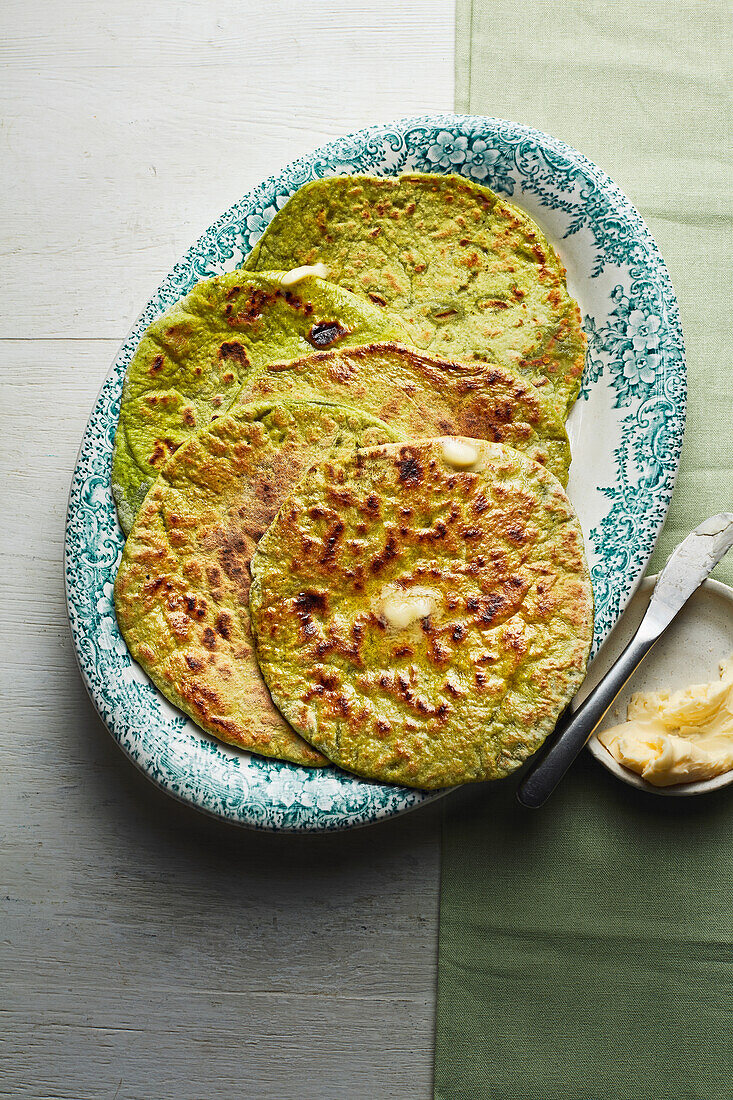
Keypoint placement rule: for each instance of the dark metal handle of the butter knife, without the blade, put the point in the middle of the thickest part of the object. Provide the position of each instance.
(541, 782)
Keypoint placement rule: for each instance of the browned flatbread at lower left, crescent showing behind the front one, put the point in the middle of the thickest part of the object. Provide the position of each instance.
(182, 590)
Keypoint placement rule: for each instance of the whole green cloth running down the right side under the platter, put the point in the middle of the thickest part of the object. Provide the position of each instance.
(587, 949)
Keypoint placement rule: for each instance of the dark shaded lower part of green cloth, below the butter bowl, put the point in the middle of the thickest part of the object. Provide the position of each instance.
(587, 948)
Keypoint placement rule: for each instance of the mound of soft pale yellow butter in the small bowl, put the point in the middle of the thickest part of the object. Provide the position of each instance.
(677, 738)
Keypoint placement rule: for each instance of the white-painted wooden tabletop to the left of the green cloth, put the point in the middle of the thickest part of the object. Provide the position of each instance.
(148, 952)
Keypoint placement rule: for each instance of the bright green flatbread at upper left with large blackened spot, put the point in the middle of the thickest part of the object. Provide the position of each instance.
(192, 362)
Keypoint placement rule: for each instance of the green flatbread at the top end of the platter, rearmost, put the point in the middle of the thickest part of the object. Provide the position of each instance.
(471, 276)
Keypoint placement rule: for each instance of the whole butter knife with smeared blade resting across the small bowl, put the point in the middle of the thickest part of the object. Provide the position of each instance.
(688, 566)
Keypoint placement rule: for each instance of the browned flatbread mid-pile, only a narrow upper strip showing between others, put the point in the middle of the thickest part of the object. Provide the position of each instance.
(423, 395)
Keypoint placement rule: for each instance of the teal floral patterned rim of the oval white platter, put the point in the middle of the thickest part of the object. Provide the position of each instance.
(634, 375)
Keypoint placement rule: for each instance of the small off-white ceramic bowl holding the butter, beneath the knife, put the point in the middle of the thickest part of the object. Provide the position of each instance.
(688, 653)
